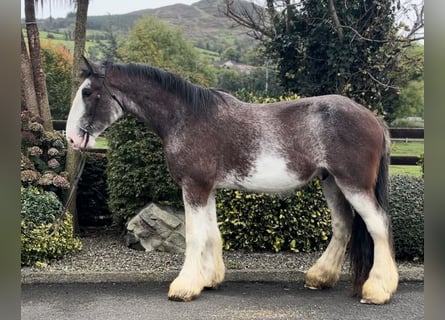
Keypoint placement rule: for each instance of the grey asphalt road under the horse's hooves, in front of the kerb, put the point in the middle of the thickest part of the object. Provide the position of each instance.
(233, 300)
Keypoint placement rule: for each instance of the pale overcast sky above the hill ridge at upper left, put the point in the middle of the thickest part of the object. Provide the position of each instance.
(59, 9)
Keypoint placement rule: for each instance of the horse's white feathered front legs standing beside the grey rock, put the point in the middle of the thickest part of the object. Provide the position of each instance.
(203, 265)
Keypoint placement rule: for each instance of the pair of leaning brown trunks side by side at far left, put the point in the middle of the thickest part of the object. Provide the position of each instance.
(35, 62)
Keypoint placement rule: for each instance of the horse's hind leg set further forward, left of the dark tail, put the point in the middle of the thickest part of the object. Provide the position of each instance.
(326, 271)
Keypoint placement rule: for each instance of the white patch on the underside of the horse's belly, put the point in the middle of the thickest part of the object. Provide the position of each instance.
(268, 174)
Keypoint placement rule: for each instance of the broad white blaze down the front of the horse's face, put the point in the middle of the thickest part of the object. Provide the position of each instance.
(76, 113)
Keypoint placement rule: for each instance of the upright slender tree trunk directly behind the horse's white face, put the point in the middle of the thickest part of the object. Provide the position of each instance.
(73, 156)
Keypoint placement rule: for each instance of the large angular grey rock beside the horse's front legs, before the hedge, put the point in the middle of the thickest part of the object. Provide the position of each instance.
(157, 228)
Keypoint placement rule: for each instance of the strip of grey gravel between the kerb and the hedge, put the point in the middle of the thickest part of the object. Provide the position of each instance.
(105, 251)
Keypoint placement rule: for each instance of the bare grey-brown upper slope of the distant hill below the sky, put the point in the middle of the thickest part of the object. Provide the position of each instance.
(202, 22)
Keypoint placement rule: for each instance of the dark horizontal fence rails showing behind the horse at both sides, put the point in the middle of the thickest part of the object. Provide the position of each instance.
(397, 134)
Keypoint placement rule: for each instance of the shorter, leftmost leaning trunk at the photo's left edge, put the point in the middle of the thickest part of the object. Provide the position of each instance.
(29, 98)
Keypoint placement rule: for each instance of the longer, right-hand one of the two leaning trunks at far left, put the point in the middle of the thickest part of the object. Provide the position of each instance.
(36, 64)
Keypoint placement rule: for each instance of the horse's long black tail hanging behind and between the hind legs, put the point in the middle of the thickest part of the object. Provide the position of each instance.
(362, 245)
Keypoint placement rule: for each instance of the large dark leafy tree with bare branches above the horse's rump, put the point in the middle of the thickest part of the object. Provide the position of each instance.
(331, 46)
